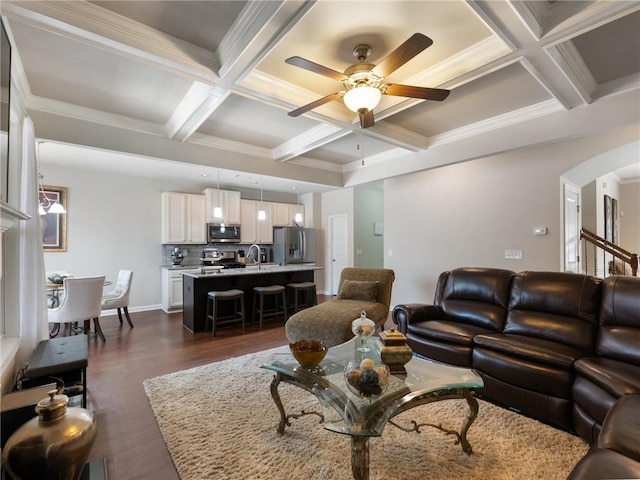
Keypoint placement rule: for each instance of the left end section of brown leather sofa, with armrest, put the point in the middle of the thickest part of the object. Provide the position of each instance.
(467, 302)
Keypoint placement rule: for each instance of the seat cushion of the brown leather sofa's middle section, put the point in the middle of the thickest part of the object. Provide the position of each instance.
(531, 349)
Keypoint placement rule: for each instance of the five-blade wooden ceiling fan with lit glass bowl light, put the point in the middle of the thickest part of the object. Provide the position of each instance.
(364, 82)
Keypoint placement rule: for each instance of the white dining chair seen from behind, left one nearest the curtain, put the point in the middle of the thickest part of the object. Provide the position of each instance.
(81, 303)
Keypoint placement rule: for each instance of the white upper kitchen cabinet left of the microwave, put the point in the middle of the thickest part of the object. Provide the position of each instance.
(184, 218)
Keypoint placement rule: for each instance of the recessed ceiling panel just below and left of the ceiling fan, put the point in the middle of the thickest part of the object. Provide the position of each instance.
(249, 121)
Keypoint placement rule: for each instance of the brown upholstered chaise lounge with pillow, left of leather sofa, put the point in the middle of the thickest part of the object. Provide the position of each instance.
(360, 289)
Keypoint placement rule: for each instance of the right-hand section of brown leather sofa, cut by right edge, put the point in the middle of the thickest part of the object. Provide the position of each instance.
(614, 370)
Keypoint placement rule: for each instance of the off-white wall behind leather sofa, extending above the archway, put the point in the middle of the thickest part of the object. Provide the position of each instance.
(468, 214)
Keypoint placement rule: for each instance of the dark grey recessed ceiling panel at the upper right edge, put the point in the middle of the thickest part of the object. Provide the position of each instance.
(608, 52)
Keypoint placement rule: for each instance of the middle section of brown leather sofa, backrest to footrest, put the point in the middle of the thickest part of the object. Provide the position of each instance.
(551, 323)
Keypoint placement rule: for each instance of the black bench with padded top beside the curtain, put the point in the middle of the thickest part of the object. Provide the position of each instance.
(60, 359)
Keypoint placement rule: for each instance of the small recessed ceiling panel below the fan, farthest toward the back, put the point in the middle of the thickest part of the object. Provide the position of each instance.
(349, 149)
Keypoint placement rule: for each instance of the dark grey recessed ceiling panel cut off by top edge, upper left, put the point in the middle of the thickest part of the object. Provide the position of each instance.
(201, 23)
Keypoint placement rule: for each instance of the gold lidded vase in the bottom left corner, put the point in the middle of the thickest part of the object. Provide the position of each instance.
(55, 445)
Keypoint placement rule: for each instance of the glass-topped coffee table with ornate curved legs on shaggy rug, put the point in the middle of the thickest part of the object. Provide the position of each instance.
(361, 418)
